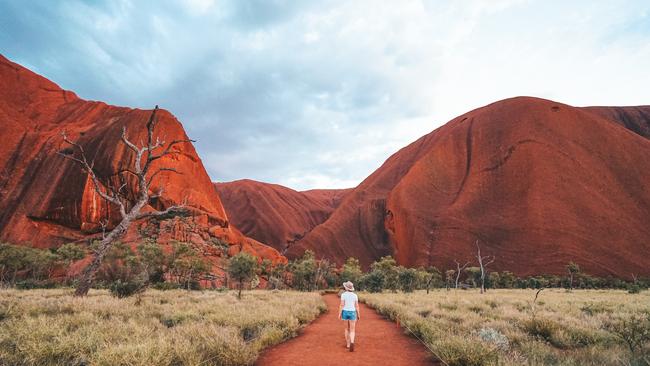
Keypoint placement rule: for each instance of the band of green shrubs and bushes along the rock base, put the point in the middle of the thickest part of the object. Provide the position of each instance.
(148, 265)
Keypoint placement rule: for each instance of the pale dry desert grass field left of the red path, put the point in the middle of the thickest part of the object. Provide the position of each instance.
(51, 327)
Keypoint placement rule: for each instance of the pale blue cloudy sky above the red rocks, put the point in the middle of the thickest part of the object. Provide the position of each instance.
(317, 94)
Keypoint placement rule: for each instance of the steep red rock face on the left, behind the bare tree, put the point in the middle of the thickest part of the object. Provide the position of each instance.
(46, 200)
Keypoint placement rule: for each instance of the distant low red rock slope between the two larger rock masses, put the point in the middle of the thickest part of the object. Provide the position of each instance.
(274, 214)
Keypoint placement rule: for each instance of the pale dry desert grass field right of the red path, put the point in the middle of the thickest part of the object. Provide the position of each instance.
(506, 327)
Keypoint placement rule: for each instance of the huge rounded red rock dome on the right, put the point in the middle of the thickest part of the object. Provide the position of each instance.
(538, 183)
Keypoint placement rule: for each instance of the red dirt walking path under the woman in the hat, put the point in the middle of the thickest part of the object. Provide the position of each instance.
(378, 342)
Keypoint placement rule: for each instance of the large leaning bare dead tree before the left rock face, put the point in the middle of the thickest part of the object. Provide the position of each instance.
(129, 209)
